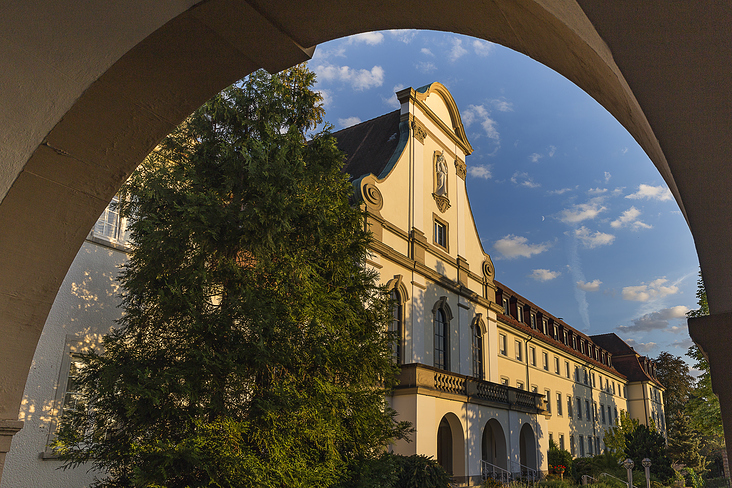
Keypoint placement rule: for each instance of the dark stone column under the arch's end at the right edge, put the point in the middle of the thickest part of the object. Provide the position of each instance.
(713, 335)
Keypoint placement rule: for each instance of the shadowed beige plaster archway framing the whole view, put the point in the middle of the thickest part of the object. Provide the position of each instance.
(89, 90)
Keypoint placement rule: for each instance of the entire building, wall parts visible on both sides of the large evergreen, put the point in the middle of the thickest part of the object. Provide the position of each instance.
(488, 378)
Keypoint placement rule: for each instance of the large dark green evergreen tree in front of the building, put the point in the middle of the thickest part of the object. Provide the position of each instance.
(252, 349)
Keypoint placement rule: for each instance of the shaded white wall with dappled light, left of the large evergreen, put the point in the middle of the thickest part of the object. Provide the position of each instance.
(85, 308)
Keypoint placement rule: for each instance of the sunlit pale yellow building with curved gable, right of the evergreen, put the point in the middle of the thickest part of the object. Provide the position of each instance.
(488, 378)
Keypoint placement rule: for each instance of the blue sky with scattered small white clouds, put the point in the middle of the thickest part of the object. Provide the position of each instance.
(574, 214)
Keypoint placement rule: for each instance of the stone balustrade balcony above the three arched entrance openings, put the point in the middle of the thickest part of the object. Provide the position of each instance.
(427, 380)
